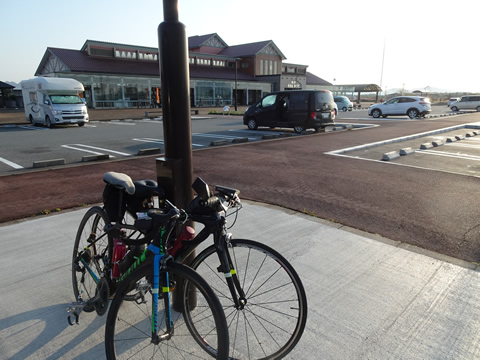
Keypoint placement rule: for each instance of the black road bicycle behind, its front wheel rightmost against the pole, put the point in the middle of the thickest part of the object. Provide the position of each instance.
(262, 295)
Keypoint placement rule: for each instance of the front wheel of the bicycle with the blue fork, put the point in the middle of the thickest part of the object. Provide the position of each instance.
(128, 326)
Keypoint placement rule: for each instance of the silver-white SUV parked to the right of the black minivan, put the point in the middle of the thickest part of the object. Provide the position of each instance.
(413, 106)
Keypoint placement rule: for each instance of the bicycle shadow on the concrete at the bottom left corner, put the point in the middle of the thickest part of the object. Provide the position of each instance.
(35, 333)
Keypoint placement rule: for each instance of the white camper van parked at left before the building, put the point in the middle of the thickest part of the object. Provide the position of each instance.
(53, 101)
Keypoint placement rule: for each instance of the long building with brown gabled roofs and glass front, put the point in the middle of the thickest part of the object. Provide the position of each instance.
(119, 75)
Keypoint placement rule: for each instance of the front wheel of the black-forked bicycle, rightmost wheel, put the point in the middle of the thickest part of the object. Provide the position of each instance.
(274, 317)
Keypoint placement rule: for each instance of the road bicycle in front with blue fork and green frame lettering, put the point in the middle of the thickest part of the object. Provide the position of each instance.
(142, 321)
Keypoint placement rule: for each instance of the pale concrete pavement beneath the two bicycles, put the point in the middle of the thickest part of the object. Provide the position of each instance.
(368, 298)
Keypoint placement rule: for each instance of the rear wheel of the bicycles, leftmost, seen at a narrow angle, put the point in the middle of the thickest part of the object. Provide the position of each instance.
(90, 233)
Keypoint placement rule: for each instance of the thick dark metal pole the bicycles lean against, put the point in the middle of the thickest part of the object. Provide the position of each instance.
(175, 171)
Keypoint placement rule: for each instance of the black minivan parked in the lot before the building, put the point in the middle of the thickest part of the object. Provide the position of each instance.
(298, 109)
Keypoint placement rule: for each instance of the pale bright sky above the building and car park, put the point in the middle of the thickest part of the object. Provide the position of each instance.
(405, 44)
